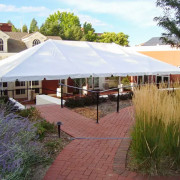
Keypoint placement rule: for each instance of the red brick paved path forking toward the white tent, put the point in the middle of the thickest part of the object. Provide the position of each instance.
(91, 159)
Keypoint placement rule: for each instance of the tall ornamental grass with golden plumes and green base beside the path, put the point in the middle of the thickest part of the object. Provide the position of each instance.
(156, 133)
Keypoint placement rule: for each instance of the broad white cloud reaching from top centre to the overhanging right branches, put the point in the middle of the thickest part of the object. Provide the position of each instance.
(140, 12)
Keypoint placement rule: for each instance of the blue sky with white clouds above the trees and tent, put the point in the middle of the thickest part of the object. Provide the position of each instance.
(132, 17)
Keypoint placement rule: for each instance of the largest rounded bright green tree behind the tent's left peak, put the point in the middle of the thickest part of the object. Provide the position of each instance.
(63, 24)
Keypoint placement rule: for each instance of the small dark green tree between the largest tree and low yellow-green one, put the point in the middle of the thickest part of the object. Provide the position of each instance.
(89, 32)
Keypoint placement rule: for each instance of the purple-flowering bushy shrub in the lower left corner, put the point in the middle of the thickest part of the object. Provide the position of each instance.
(19, 150)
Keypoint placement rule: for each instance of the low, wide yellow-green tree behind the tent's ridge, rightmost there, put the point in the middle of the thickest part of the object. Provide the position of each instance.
(119, 38)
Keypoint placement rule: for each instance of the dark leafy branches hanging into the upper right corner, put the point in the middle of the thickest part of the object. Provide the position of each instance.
(170, 21)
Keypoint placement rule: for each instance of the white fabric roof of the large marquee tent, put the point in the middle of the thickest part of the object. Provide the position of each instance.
(57, 59)
